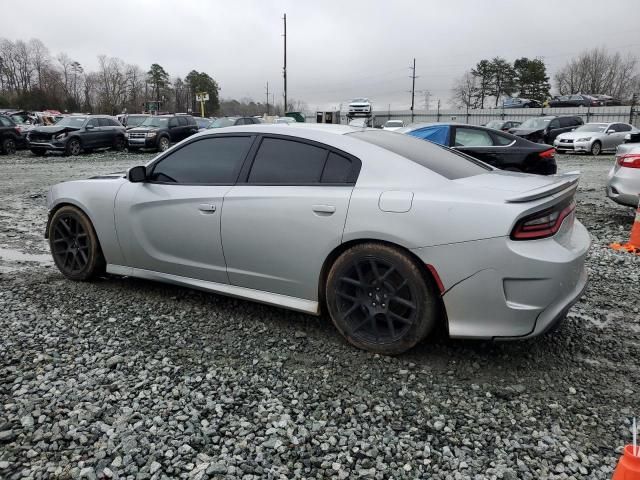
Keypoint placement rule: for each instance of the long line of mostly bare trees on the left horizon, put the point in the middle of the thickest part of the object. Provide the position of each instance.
(31, 78)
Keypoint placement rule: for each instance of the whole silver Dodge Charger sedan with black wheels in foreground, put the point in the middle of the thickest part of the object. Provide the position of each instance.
(390, 234)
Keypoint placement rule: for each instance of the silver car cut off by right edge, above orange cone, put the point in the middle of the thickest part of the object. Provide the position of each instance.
(623, 186)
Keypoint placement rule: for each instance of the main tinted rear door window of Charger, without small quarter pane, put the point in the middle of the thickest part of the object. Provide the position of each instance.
(287, 162)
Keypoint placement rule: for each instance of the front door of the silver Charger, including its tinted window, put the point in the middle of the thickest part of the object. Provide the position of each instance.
(171, 222)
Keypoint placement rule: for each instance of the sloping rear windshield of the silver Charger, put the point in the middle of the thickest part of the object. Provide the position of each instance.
(441, 160)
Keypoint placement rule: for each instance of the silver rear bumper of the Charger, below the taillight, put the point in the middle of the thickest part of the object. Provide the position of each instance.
(499, 288)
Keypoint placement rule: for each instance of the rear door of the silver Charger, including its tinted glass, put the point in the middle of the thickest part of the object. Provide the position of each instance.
(279, 226)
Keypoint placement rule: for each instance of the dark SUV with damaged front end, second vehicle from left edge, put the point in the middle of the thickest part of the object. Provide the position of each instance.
(76, 133)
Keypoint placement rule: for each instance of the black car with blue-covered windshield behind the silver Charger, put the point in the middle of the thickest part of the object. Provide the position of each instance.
(499, 149)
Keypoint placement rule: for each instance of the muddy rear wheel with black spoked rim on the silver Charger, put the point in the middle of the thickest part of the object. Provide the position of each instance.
(379, 300)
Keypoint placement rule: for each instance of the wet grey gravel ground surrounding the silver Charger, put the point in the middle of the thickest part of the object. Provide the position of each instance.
(123, 378)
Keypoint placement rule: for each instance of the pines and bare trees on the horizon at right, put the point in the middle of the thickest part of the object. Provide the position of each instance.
(594, 71)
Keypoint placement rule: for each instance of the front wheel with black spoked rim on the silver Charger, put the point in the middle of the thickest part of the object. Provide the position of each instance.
(74, 245)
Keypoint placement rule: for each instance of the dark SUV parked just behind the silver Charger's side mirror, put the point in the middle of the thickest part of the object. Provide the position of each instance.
(160, 131)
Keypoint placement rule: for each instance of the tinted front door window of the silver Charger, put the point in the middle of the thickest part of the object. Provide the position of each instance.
(210, 160)
